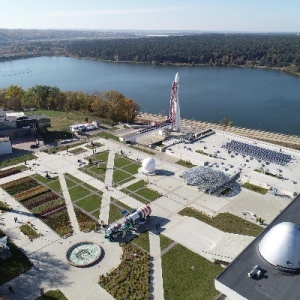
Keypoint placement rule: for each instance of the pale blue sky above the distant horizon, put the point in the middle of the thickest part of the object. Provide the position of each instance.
(209, 15)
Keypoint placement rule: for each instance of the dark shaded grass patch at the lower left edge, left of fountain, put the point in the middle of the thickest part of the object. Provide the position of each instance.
(14, 266)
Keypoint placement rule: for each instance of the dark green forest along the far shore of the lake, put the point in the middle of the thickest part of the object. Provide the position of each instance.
(280, 51)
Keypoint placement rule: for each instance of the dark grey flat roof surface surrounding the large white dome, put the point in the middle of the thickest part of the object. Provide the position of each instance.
(275, 284)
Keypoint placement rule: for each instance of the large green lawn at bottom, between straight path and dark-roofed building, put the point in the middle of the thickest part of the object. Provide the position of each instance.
(188, 275)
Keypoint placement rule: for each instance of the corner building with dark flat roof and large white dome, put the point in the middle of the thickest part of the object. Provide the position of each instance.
(269, 268)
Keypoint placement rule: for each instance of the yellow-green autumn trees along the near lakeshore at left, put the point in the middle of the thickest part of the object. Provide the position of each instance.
(109, 104)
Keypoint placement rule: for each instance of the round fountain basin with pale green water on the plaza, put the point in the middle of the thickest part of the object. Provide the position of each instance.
(83, 254)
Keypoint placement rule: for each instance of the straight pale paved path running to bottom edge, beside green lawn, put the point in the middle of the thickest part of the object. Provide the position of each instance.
(156, 280)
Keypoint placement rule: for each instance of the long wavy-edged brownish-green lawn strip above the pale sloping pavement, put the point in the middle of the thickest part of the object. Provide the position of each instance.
(225, 222)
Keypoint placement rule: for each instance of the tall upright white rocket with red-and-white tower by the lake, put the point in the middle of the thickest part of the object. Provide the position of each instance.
(174, 113)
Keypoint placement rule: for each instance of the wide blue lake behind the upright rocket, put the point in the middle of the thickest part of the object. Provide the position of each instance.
(252, 98)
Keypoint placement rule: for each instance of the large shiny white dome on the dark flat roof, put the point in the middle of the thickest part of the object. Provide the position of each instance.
(281, 246)
